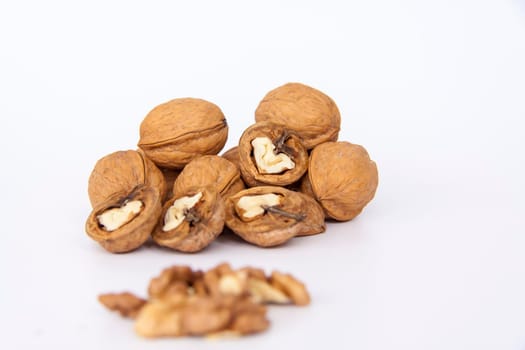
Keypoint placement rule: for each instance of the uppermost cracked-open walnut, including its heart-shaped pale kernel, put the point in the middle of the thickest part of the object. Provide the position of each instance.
(271, 154)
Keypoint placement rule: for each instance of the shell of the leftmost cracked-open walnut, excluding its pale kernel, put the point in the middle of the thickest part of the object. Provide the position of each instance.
(133, 234)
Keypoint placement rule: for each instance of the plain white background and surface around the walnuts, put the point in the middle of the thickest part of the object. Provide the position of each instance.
(434, 90)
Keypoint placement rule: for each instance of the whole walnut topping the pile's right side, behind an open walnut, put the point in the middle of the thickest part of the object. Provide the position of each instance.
(312, 114)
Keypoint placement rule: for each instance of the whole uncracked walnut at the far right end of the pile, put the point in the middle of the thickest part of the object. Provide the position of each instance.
(343, 178)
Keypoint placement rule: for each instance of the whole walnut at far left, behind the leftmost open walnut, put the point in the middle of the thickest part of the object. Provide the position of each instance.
(123, 171)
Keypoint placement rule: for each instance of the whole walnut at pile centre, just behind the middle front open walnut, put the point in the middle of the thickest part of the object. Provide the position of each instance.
(213, 171)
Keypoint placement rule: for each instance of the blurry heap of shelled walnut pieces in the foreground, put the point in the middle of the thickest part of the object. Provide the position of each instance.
(220, 301)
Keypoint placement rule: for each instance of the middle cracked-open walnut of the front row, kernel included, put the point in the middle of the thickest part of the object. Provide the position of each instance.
(197, 219)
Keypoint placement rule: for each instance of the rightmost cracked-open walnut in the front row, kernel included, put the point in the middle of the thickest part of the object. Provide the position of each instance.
(272, 224)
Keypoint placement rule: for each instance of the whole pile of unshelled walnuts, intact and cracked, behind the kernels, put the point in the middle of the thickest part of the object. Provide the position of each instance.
(286, 176)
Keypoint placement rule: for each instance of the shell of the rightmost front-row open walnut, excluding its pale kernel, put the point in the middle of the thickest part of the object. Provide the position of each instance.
(302, 216)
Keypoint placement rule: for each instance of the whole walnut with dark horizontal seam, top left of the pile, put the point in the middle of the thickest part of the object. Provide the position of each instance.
(175, 132)
